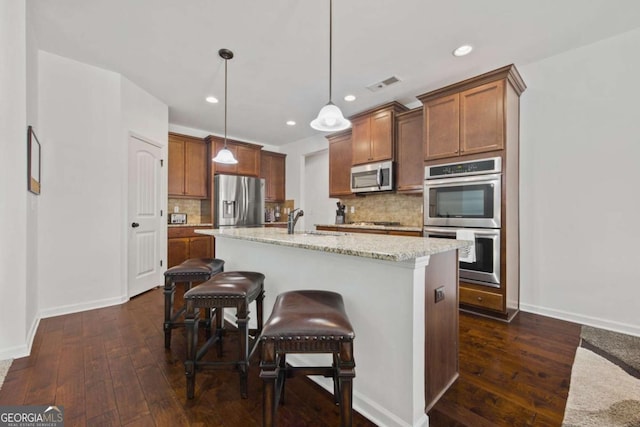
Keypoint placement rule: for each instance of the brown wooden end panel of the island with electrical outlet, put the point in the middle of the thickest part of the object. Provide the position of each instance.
(441, 325)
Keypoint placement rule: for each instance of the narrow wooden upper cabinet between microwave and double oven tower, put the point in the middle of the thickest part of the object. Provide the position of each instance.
(410, 166)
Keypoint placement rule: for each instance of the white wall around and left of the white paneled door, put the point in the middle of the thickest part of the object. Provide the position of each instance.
(86, 114)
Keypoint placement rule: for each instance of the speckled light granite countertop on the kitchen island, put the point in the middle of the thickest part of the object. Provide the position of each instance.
(384, 247)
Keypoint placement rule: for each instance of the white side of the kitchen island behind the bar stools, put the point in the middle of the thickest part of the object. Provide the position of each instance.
(379, 298)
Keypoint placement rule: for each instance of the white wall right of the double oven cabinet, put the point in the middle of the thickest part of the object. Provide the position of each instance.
(580, 169)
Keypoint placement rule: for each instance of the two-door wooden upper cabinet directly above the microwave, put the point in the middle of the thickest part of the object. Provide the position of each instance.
(373, 134)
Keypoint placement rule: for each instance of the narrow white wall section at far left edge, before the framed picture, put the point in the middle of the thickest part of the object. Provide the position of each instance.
(13, 183)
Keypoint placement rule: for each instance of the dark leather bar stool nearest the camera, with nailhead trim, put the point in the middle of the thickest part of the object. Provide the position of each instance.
(307, 321)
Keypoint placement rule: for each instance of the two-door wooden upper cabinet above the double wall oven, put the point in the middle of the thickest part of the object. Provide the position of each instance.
(469, 117)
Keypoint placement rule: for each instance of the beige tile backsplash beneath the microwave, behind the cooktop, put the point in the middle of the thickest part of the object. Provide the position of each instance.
(393, 207)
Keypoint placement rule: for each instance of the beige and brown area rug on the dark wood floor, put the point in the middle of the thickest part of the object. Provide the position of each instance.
(605, 381)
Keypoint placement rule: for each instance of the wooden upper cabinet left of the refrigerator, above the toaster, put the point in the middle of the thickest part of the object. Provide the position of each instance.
(188, 167)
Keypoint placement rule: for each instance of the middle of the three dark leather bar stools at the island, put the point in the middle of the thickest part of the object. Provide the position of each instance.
(229, 289)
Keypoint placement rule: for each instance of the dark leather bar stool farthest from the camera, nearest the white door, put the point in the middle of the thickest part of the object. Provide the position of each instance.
(188, 272)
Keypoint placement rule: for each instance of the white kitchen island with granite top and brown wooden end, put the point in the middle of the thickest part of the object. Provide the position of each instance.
(406, 343)
